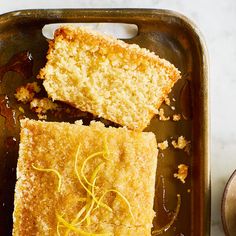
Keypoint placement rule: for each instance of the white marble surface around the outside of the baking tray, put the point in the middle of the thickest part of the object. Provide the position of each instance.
(217, 21)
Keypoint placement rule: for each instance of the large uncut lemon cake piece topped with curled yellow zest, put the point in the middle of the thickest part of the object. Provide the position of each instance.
(84, 180)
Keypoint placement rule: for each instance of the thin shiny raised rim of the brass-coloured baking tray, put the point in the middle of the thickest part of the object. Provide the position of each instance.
(204, 63)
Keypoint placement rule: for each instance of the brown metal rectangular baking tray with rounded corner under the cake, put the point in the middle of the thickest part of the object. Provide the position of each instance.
(173, 37)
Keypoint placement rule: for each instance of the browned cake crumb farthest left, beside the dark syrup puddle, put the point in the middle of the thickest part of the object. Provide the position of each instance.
(27, 92)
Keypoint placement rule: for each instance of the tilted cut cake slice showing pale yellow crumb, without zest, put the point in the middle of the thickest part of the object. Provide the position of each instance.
(107, 77)
